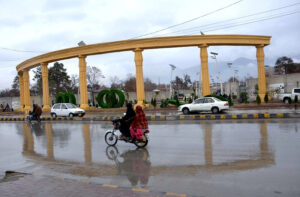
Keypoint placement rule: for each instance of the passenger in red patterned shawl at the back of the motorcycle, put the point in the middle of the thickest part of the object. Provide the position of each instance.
(140, 123)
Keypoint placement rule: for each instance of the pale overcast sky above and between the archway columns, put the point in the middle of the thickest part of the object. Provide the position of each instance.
(46, 25)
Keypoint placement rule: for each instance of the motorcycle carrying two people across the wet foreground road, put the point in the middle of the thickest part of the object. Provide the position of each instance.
(111, 138)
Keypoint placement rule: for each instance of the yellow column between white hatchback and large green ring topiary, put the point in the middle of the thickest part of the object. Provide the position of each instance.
(83, 85)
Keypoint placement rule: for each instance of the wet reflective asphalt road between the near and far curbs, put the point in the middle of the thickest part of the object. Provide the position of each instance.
(200, 158)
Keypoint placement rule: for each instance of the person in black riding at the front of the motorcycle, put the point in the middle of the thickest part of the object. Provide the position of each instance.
(126, 121)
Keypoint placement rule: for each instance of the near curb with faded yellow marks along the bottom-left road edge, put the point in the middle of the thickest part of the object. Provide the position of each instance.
(134, 189)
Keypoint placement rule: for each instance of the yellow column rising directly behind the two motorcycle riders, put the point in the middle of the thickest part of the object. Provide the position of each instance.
(140, 92)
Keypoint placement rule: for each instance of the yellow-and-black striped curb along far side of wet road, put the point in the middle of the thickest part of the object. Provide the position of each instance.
(174, 118)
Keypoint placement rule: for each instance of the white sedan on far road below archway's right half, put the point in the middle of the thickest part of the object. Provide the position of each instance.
(205, 104)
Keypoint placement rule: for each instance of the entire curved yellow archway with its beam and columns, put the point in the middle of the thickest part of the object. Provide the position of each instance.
(137, 46)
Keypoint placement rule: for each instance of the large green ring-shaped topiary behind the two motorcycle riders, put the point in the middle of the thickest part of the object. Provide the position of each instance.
(113, 98)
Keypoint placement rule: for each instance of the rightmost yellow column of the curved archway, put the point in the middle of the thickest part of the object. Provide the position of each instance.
(261, 71)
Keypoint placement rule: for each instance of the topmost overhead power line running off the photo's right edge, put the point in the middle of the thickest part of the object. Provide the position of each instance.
(211, 24)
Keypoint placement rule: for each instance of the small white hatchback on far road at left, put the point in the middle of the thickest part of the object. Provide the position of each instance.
(66, 109)
